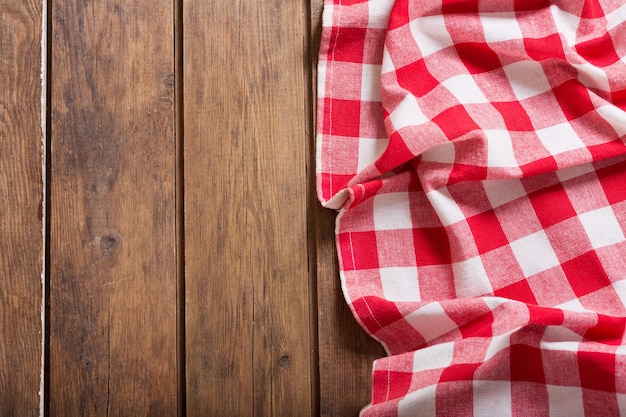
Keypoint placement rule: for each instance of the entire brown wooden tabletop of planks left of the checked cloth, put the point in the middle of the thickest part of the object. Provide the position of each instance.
(163, 193)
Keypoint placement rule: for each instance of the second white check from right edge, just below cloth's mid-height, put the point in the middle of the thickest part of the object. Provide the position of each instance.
(534, 253)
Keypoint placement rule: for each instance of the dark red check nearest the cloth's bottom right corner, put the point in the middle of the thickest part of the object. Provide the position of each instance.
(597, 370)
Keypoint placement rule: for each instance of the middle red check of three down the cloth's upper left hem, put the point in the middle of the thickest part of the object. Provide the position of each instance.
(342, 117)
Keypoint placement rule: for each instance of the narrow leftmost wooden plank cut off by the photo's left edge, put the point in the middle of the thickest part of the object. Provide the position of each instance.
(21, 188)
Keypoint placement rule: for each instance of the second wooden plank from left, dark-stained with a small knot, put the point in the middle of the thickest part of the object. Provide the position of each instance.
(113, 236)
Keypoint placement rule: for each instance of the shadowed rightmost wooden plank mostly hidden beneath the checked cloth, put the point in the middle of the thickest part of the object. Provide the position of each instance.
(346, 352)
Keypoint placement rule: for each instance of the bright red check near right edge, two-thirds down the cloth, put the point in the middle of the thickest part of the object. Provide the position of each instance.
(585, 274)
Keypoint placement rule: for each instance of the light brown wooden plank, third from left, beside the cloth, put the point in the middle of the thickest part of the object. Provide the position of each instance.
(248, 292)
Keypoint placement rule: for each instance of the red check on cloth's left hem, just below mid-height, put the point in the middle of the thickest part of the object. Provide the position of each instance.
(366, 256)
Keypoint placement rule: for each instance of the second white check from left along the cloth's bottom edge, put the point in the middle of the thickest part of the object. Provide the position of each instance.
(492, 398)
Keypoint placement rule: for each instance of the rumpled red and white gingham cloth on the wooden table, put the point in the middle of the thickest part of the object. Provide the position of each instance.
(476, 153)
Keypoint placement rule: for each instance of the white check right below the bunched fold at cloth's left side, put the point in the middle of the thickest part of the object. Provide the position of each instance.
(392, 211)
